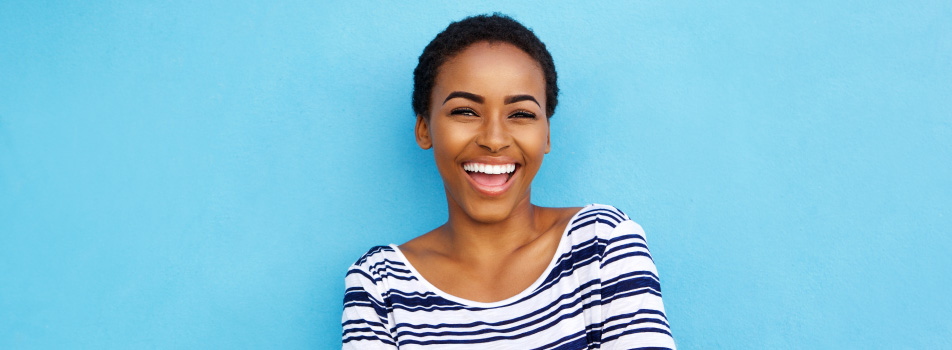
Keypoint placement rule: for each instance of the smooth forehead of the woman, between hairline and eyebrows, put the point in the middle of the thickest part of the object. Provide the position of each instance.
(491, 68)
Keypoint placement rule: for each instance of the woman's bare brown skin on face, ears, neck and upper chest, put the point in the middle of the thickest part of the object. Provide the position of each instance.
(487, 103)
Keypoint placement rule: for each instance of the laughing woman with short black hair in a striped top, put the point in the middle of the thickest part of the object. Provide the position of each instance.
(501, 273)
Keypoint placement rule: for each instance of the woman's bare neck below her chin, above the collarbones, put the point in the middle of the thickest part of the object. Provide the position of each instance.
(469, 239)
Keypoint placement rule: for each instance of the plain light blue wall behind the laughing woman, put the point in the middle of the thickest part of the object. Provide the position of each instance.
(182, 175)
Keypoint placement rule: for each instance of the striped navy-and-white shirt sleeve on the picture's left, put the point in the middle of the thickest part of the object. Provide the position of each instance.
(366, 321)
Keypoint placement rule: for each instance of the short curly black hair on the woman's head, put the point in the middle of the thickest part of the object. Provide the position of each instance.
(460, 35)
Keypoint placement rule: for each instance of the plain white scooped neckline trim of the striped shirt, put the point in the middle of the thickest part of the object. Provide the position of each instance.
(535, 285)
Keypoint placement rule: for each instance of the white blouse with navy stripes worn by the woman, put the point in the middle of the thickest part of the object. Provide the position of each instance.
(600, 291)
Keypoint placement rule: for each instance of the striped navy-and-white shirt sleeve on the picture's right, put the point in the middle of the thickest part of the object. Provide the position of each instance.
(632, 311)
